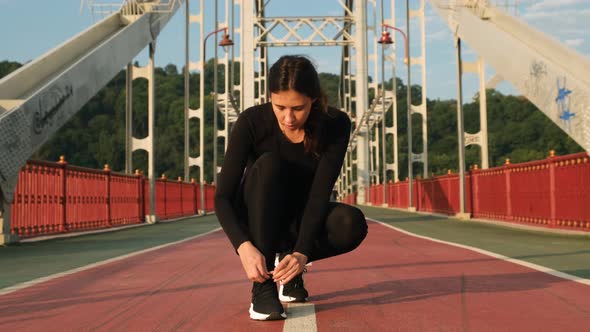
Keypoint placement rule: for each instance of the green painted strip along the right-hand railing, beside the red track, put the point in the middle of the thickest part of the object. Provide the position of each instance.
(565, 253)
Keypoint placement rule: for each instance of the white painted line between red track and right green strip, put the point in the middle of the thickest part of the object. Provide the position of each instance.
(494, 255)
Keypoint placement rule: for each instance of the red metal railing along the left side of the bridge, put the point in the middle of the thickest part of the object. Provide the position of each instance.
(56, 198)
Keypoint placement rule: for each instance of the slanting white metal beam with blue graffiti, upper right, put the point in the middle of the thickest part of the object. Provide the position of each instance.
(551, 75)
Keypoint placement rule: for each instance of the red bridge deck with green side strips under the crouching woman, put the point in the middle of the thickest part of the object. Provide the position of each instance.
(394, 281)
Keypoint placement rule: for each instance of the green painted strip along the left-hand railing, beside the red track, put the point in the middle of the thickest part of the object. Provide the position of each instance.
(27, 261)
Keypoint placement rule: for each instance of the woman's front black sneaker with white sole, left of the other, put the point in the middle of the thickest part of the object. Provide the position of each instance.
(265, 302)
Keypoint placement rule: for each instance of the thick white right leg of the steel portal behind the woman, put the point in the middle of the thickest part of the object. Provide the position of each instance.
(360, 13)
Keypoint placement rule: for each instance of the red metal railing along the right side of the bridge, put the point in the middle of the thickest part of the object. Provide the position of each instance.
(552, 193)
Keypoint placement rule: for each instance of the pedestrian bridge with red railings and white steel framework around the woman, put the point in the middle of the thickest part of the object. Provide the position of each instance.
(152, 255)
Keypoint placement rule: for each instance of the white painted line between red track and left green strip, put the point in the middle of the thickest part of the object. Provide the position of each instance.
(33, 282)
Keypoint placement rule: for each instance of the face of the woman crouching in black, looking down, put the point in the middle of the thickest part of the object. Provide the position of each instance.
(291, 109)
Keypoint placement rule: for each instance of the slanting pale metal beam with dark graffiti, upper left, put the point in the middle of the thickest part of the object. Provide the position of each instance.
(56, 85)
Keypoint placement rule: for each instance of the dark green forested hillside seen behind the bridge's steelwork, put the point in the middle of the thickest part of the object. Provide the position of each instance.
(96, 135)
